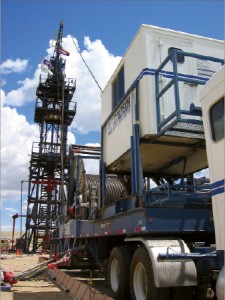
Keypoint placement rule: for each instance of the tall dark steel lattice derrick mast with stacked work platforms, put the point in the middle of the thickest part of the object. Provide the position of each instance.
(54, 112)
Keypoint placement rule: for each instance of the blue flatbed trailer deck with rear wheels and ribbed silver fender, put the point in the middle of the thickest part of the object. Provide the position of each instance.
(171, 221)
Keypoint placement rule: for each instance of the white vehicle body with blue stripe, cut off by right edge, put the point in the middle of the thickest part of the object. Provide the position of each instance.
(212, 100)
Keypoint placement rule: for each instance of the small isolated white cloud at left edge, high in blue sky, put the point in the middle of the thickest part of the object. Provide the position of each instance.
(14, 66)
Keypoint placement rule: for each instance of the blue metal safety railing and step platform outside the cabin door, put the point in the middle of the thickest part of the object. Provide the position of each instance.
(174, 123)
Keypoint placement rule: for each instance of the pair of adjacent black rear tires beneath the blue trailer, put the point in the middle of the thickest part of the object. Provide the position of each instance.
(132, 278)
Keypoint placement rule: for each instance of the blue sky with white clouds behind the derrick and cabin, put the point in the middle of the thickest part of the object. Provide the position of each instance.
(103, 30)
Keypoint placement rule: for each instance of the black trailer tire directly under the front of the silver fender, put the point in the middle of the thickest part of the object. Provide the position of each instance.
(142, 278)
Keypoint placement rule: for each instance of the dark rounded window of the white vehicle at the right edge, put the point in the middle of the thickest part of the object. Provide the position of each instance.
(217, 120)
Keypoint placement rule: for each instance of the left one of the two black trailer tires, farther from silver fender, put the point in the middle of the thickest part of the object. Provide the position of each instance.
(119, 273)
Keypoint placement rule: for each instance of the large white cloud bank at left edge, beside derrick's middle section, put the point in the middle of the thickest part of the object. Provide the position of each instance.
(17, 136)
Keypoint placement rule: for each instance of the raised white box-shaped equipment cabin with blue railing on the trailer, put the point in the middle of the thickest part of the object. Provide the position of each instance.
(131, 97)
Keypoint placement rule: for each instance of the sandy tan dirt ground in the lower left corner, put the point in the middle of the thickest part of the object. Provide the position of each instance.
(41, 287)
